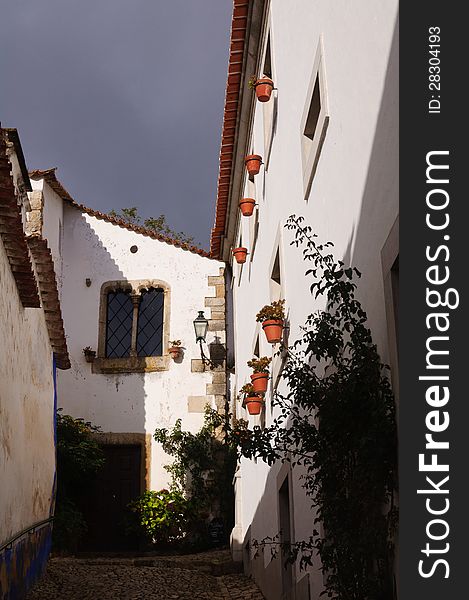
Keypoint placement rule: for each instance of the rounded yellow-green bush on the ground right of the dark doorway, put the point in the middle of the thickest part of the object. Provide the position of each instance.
(165, 517)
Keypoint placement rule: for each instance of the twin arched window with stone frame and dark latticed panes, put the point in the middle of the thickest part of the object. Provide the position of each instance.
(134, 319)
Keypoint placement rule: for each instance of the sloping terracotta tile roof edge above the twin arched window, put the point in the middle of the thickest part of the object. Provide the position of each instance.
(50, 177)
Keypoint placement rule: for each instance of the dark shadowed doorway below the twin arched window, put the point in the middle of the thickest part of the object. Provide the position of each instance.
(105, 502)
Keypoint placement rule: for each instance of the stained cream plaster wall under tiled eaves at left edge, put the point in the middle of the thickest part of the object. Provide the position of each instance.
(27, 451)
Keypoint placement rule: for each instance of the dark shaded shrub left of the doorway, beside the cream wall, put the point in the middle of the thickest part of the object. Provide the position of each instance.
(78, 458)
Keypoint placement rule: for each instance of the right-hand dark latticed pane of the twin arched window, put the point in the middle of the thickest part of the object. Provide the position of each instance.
(150, 323)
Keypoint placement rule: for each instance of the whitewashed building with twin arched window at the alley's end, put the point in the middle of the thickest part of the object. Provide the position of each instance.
(126, 293)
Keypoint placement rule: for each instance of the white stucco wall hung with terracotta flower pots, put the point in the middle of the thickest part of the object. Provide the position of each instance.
(353, 200)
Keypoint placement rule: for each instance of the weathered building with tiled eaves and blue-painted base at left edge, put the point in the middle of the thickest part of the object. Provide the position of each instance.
(33, 345)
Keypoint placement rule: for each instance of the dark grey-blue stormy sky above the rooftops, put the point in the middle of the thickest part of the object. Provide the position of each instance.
(125, 97)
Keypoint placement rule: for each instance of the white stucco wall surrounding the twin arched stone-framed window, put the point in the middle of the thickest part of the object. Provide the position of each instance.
(133, 402)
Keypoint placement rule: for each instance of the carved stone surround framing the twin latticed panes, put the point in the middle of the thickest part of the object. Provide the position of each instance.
(132, 364)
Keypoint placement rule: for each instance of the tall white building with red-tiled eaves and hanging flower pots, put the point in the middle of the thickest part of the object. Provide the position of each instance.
(328, 138)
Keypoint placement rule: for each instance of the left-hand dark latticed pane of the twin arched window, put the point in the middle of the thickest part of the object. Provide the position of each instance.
(118, 324)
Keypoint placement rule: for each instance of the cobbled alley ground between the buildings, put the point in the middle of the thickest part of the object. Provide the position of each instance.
(201, 576)
